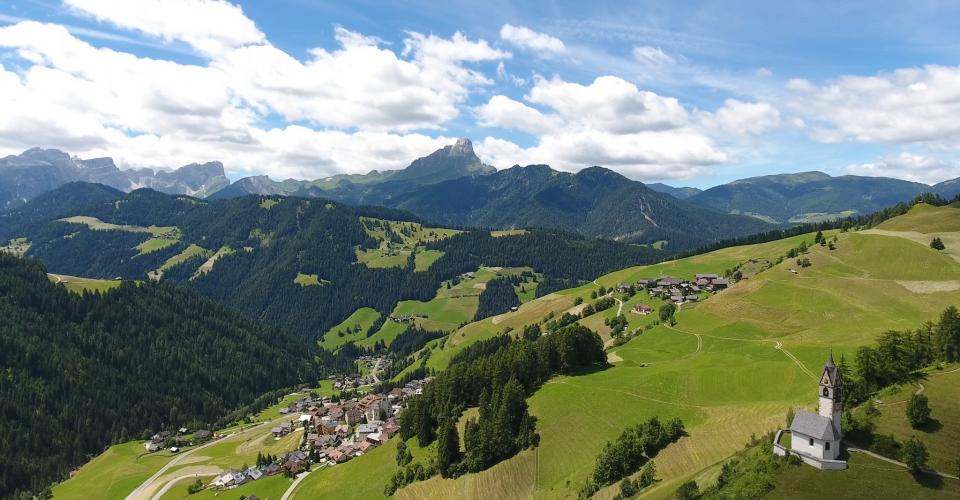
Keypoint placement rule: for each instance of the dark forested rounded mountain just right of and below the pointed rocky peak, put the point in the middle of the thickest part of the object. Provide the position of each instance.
(594, 202)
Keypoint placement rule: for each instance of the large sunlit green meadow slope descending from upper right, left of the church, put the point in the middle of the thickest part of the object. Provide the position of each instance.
(737, 382)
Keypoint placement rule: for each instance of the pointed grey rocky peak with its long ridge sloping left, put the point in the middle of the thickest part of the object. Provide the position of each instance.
(449, 162)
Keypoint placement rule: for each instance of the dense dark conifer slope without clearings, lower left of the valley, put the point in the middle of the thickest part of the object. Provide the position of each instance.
(85, 371)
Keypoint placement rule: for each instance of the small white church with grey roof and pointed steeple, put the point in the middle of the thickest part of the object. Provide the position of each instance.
(815, 437)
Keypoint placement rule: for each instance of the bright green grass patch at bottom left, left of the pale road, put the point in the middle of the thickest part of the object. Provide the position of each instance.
(113, 474)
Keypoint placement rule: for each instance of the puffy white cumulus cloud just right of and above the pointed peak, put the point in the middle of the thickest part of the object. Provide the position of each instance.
(609, 122)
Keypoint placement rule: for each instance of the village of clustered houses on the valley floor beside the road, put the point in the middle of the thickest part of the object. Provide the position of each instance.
(334, 431)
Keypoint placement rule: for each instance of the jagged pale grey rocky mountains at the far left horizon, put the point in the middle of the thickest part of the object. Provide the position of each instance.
(36, 171)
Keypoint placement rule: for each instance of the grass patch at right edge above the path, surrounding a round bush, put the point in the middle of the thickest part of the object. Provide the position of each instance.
(942, 435)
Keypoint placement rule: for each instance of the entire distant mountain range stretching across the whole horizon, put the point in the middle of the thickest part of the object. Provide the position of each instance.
(452, 186)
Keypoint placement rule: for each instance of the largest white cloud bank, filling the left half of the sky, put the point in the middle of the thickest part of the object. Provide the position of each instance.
(349, 109)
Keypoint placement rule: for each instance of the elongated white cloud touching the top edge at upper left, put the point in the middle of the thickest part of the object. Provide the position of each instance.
(209, 26)
